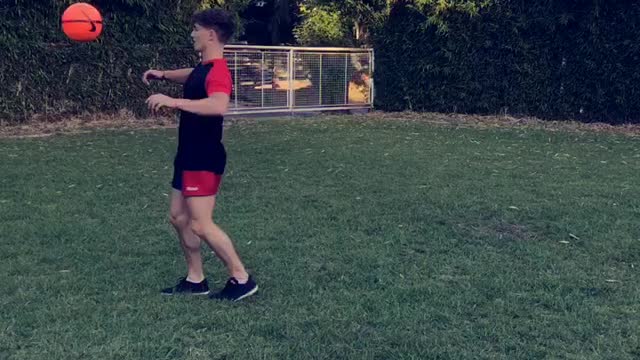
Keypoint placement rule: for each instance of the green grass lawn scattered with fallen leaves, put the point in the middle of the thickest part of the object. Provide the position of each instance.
(369, 239)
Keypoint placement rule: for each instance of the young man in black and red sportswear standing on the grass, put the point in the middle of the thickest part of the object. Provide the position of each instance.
(201, 158)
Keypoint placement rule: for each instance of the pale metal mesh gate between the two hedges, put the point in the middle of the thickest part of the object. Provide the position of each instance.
(270, 79)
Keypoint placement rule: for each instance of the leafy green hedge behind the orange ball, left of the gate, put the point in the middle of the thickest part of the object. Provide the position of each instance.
(43, 73)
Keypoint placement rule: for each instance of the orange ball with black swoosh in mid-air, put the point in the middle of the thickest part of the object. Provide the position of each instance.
(82, 22)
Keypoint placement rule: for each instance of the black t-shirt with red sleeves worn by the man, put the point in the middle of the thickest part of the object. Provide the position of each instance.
(200, 137)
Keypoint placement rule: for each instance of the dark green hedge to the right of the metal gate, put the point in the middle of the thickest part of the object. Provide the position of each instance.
(553, 59)
